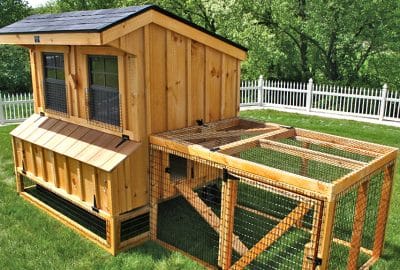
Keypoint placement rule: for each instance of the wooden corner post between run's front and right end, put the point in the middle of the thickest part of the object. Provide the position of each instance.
(327, 232)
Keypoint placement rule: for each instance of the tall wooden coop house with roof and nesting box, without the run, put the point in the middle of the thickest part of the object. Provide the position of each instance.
(103, 81)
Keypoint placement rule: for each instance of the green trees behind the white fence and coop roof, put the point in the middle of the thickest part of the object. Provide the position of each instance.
(340, 41)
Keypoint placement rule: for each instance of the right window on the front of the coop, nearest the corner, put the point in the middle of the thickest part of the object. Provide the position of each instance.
(104, 89)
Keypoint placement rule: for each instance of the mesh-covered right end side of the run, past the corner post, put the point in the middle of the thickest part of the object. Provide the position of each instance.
(355, 225)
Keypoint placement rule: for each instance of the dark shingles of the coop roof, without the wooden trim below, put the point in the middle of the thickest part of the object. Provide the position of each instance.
(90, 21)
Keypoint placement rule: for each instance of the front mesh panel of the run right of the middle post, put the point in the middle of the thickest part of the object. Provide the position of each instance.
(280, 228)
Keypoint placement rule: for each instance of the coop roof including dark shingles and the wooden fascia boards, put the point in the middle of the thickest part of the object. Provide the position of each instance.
(100, 27)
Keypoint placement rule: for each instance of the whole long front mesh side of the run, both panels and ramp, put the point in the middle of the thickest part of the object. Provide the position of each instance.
(230, 219)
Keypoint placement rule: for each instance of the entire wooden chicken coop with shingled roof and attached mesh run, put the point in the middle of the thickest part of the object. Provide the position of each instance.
(136, 136)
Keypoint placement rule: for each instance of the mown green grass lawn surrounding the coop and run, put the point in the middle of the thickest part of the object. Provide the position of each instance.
(29, 239)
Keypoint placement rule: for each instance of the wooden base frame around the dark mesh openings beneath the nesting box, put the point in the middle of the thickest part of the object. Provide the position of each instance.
(111, 243)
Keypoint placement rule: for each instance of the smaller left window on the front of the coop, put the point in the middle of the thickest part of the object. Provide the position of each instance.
(55, 94)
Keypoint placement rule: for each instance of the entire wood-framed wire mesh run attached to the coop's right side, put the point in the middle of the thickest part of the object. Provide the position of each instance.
(286, 189)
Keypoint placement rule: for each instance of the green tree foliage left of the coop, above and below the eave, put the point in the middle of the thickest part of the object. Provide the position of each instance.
(14, 61)
